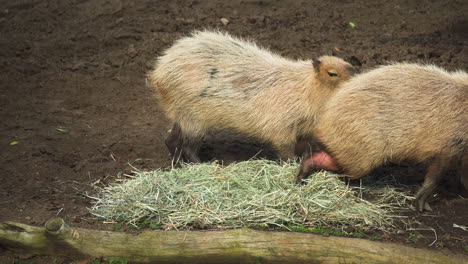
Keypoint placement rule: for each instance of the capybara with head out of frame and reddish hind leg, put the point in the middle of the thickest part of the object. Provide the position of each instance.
(394, 113)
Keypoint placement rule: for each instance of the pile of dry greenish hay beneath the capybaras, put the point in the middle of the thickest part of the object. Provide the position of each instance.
(251, 193)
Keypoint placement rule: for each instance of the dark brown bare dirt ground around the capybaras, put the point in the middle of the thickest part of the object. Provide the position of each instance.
(73, 93)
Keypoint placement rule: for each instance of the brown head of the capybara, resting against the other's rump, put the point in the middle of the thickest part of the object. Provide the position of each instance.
(331, 71)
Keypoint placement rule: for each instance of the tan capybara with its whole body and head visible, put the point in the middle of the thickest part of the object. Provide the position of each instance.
(211, 80)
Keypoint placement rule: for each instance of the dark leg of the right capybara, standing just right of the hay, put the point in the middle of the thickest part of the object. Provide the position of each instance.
(433, 175)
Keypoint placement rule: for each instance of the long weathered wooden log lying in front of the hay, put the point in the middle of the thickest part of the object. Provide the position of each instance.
(231, 246)
